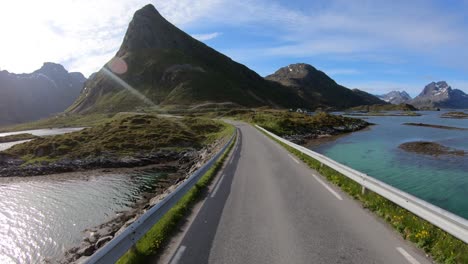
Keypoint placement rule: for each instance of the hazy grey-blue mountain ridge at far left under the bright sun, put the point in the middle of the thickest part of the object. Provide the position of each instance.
(27, 97)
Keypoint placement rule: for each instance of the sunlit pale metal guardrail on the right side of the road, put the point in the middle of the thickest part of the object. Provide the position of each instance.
(449, 222)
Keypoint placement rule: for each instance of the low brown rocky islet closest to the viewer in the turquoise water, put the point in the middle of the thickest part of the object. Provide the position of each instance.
(430, 148)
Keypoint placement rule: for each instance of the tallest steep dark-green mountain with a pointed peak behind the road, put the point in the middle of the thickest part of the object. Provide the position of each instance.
(162, 65)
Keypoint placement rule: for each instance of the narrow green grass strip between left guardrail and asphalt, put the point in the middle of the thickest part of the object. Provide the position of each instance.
(150, 244)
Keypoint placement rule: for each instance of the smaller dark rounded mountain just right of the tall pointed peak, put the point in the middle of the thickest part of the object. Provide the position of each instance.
(318, 89)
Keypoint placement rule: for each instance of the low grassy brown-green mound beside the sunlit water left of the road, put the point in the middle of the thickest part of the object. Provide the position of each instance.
(123, 135)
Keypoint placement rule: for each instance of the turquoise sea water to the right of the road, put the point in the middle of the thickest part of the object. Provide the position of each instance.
(442, 181)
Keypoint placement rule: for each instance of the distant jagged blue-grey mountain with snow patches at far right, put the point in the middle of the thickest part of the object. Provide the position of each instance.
(440, 95)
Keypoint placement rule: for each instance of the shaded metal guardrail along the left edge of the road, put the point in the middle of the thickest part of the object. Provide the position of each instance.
(119, 245)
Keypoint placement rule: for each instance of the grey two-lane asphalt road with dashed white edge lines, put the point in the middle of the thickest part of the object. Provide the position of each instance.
(268, 207)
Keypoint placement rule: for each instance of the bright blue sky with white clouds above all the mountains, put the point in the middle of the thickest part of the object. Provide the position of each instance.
(376, 46)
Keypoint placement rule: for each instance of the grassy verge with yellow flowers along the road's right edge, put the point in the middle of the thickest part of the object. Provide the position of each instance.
(443, 247)
